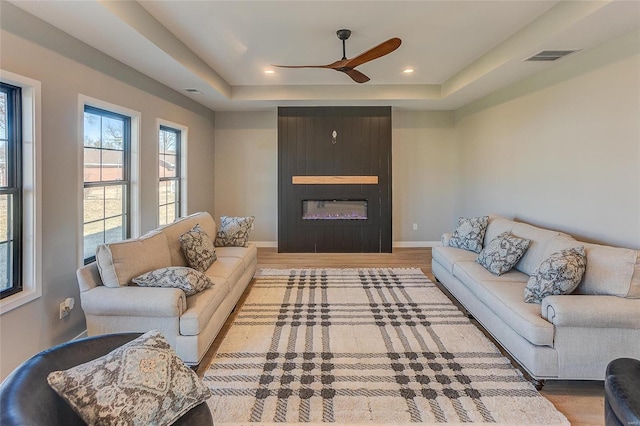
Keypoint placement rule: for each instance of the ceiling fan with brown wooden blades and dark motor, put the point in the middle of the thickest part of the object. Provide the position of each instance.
(347, 65)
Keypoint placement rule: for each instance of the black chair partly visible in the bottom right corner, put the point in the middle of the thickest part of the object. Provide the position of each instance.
(622, 392)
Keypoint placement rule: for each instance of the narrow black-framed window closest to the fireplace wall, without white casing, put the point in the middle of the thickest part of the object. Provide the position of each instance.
(169, 191)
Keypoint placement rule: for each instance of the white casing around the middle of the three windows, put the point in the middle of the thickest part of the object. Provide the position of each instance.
(134, 213)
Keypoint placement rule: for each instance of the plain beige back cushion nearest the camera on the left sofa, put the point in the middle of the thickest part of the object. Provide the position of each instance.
(120, 262)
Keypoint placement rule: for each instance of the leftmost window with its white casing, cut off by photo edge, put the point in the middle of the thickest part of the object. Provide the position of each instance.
(20, 192)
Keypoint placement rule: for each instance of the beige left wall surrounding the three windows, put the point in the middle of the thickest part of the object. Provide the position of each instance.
(35, 326)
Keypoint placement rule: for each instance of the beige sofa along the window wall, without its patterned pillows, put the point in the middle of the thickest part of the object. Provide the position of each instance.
(191, 323)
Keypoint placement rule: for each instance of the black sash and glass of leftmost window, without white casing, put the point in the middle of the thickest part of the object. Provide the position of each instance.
(10, 190)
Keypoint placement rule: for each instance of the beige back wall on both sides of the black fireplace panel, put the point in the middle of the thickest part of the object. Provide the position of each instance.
(425, 152)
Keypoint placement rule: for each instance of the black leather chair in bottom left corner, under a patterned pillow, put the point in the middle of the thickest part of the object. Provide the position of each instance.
(27, 399)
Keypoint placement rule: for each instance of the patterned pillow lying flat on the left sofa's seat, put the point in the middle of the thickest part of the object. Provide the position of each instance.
(187, 279)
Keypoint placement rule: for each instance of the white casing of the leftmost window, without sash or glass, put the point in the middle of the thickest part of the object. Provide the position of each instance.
(31, 191)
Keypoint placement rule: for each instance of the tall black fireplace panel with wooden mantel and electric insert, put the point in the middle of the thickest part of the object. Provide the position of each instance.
(334, 180)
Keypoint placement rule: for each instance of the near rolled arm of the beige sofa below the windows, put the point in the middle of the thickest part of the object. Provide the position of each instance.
(134, 301)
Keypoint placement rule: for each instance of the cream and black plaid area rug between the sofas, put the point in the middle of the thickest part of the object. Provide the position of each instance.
(374, 346)
